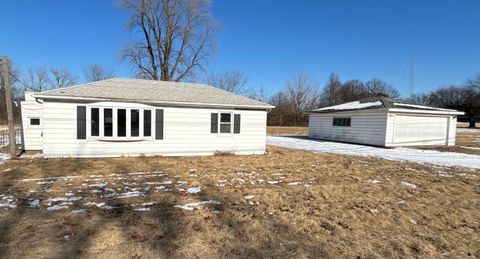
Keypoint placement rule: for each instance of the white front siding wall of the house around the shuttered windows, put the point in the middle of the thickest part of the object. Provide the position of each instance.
(186, 132)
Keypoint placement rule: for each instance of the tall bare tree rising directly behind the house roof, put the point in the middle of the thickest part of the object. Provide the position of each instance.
(176, 37)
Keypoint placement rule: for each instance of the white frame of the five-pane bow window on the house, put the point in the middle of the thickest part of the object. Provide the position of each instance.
(115, 137)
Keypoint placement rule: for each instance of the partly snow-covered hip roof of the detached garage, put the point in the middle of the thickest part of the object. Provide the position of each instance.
(377, 103)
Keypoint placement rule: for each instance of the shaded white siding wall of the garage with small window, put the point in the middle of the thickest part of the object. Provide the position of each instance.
(366, 128)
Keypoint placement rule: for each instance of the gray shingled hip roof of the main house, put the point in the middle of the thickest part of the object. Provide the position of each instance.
(139, 90)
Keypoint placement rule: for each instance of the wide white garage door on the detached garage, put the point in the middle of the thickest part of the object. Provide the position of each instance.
(420, 130)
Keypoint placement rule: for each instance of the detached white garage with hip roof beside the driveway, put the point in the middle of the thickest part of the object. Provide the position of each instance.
(384, 122)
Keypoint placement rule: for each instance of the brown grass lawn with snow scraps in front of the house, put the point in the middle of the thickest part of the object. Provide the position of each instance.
(286, 204)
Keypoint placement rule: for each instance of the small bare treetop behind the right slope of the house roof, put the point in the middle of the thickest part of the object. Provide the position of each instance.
(231, 81)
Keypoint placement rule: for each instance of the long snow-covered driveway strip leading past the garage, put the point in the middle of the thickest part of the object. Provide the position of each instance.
(394, 154)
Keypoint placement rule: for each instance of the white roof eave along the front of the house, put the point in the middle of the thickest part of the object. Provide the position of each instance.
(184, 104)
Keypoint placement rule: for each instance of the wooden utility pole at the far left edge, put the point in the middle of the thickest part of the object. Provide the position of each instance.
(8, 102)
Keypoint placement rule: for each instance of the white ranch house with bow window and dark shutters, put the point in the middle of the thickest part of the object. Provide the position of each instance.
(134, 117)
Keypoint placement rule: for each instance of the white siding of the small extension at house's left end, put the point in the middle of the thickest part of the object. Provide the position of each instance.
(32, 134)
